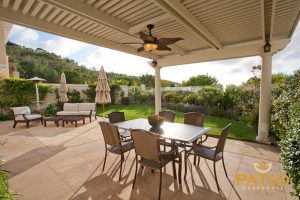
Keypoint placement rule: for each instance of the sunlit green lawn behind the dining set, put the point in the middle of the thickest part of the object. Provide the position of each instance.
(239, 130)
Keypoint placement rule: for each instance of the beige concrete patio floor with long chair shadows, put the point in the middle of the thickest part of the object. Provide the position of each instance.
(66, 163)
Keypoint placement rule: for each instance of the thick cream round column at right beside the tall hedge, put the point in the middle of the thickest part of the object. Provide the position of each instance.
(265, 98)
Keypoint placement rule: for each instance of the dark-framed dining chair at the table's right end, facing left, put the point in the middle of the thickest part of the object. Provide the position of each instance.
(214, 153)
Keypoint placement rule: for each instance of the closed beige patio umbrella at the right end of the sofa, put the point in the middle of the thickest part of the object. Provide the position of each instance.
(102, 90)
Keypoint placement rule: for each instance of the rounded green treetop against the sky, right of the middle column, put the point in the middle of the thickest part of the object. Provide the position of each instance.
(201, 80)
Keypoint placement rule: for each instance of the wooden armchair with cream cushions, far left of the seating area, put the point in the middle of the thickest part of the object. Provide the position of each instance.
(24, 115)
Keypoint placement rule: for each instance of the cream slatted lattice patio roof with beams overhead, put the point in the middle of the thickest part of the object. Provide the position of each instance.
(212, 29)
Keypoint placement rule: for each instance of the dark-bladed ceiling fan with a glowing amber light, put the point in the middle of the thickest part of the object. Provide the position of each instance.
(151, 43)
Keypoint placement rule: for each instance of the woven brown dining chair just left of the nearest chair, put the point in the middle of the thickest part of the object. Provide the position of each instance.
(113, 142)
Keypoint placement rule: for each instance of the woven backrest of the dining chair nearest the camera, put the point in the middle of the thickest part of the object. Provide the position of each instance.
(146, 144)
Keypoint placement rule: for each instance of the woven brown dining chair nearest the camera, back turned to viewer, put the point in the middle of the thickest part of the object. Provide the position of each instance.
(148, 154)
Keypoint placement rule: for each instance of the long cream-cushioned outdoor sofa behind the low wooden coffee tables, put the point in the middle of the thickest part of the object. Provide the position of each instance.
(79, 109)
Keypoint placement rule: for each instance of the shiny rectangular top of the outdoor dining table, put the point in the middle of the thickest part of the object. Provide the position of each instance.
(172, 131)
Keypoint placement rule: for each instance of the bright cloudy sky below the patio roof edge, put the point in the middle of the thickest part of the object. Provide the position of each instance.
(233, 71)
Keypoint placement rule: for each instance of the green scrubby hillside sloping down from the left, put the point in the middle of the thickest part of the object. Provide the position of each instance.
(38, 62)
